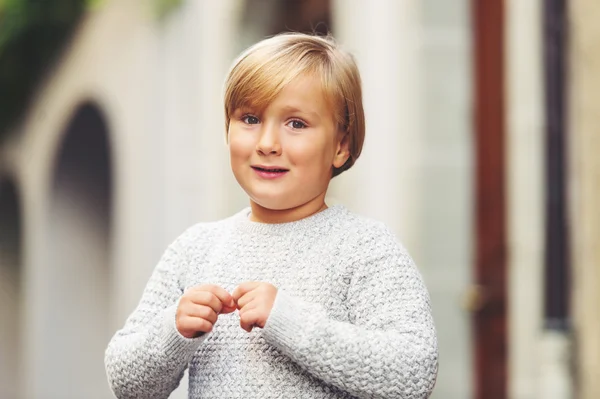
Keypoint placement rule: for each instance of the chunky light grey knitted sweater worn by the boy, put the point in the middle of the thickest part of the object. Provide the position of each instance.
(351, 317)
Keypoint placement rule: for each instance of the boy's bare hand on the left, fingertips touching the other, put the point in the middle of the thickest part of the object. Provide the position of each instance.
(199, 308)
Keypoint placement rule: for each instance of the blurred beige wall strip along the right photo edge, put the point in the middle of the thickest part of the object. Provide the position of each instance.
(585, 187)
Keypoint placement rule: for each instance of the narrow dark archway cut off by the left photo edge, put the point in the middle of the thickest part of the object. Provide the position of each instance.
(10, 288)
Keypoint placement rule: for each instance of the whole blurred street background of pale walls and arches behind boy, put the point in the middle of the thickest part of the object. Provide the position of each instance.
(482, 153)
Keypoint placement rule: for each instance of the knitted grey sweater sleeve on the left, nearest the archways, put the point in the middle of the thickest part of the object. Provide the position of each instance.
(148, 357)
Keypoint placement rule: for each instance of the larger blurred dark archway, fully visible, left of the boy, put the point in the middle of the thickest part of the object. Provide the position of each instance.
(78, 236)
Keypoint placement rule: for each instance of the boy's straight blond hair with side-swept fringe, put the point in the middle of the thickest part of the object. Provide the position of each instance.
(263, 70)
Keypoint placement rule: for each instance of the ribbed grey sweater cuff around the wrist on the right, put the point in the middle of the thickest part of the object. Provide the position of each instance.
(284, 327)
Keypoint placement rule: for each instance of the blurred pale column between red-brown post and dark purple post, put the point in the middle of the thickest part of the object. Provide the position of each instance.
(525, 187)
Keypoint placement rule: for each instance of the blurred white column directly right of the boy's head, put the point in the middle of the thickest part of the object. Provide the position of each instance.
(384, 37)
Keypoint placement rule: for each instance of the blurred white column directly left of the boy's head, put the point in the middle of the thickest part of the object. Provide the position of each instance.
(197, 48)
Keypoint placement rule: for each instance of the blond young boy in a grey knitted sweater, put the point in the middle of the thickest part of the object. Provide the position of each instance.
(288, 298)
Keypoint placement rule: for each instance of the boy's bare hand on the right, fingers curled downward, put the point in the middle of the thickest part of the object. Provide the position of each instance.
(255, 301)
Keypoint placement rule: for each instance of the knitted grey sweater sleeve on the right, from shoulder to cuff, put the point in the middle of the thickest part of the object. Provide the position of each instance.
(389, 347)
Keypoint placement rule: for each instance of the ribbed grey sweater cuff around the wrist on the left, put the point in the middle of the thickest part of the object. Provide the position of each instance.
(173, 343)
